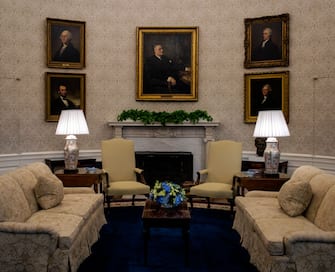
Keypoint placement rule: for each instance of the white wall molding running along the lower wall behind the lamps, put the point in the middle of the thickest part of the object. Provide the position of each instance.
(11, 161)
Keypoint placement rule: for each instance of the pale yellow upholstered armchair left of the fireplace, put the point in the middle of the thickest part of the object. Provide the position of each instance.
(123, 178)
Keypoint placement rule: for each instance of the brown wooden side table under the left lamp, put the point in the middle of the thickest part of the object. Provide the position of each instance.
(81, 179)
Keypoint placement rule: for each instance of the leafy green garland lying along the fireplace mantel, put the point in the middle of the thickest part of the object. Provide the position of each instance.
(163, 117)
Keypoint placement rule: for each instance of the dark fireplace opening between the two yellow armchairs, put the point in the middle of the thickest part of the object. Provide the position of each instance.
(172, 166)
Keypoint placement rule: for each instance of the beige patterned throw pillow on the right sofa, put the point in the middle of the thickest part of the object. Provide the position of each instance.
(294, 197)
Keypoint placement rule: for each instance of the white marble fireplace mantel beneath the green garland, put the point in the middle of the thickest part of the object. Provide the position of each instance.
(186, 137)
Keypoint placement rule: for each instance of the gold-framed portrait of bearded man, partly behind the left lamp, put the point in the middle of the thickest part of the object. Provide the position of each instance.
(64, 91)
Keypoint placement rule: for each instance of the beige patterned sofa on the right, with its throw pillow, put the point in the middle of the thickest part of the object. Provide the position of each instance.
(293, 229)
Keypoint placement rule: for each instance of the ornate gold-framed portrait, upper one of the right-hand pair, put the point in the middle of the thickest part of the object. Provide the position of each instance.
(266, 41)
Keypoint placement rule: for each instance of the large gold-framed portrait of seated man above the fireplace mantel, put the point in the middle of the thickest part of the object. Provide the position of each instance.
(167, 64)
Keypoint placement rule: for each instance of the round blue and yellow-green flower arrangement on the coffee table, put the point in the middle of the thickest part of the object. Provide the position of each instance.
(167, 194)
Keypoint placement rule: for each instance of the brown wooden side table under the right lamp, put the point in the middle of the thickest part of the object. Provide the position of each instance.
(258, 182)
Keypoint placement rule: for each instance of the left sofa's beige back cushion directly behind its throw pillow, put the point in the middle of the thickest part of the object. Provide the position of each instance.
(27, 180)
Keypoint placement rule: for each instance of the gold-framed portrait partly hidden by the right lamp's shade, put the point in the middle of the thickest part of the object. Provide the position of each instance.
(265, 91)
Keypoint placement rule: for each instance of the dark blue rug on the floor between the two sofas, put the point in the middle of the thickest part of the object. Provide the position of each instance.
(214, 246)
